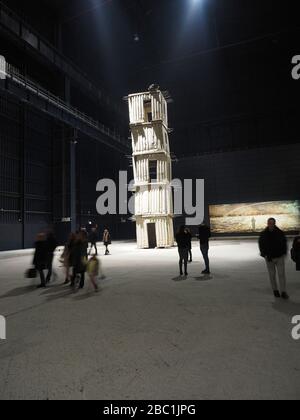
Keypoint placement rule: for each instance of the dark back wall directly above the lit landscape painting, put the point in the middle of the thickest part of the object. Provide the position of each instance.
(266, 174)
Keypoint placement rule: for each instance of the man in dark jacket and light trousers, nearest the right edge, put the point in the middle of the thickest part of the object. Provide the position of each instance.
(273, 248)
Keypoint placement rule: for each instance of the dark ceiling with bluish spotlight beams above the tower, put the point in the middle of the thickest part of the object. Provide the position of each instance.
(220, 59)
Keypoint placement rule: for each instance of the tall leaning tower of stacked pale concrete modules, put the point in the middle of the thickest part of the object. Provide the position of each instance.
(152, 169)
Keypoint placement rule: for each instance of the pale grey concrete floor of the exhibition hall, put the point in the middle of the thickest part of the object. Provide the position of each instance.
(147, 335)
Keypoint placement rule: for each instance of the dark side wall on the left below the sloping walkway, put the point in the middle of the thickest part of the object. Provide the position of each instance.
(35, 177)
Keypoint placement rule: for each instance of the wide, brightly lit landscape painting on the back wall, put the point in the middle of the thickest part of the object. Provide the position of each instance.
(252, 217)
